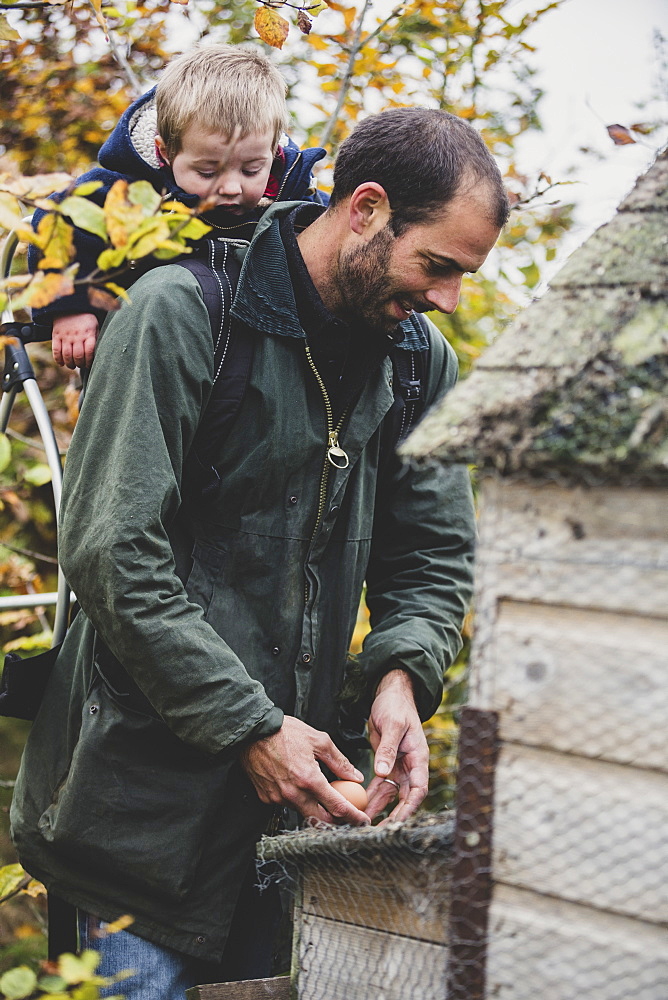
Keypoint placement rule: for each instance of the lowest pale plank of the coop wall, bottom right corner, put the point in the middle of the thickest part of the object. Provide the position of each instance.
(545, 949)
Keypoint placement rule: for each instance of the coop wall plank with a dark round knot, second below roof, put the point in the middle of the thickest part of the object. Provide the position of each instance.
(586, 682)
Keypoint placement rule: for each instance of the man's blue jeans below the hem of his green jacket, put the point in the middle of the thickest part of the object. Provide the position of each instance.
(164, 974)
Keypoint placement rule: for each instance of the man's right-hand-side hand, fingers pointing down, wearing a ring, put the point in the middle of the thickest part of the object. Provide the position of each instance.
(400, 748)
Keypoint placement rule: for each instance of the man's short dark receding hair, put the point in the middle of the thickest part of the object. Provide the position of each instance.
(423, 158)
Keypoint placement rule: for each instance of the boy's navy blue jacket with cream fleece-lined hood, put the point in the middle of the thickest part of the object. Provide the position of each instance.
(129, 154)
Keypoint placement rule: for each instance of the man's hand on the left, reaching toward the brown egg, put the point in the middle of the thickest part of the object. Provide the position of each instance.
(284, 770)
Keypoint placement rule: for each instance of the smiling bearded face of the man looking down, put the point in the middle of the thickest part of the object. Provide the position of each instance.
(389, 277)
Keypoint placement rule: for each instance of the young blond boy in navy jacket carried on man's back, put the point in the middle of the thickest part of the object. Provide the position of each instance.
(211, 129)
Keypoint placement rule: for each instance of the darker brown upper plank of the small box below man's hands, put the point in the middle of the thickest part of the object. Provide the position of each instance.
(408, 896)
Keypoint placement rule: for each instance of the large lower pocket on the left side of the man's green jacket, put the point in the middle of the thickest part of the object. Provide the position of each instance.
(136, 803)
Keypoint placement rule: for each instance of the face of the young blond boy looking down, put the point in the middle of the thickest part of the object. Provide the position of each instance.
(235, 173)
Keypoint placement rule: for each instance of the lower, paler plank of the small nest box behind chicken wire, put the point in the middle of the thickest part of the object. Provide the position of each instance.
(340, 961)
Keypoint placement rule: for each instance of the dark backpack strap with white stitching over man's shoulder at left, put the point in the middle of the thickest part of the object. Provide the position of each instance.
(232, 357)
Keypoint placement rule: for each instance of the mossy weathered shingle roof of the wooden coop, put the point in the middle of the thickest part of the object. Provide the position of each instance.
(577, 384)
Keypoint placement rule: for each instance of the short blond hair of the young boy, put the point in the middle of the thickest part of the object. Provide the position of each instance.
(227, 89)
